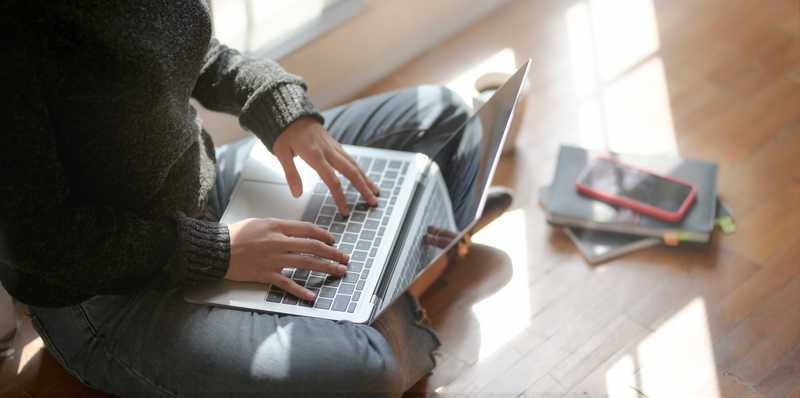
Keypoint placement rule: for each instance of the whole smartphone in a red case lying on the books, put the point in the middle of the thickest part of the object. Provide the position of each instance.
(659, 196)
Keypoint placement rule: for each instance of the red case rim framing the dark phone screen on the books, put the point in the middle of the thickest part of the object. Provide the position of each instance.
(640, 207)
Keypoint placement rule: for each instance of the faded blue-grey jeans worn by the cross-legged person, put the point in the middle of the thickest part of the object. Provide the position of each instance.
(155, 344)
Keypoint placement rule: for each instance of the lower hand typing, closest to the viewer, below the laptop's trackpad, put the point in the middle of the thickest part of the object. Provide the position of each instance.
(262, 247)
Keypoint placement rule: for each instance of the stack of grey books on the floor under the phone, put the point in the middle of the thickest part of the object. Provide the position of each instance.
(602, 231)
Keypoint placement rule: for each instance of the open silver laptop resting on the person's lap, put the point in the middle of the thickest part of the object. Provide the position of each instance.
(422, 212)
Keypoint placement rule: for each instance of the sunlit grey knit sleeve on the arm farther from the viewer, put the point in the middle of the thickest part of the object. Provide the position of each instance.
(264, 96)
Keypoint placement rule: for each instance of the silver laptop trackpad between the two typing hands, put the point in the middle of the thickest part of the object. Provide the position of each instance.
(259, 199)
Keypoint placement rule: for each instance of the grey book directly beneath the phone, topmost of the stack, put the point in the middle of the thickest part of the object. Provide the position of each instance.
(570, 208)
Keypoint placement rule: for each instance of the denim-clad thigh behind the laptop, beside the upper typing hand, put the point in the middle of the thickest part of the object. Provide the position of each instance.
(418, 119)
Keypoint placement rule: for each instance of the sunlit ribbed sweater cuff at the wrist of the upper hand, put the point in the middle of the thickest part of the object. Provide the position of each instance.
(268, 113)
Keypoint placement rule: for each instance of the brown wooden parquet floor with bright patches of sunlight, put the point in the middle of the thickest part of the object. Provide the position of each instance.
(523, 314)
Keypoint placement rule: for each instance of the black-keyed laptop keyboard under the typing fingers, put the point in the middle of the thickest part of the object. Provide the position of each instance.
(358, 235)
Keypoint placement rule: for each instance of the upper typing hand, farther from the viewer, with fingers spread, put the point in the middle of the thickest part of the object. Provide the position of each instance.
(307, 138)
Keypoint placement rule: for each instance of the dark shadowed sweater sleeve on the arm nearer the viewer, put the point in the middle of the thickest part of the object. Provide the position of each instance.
(55, 252)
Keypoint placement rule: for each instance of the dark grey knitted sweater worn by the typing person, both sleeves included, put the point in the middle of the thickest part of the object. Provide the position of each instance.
(104, 167)
